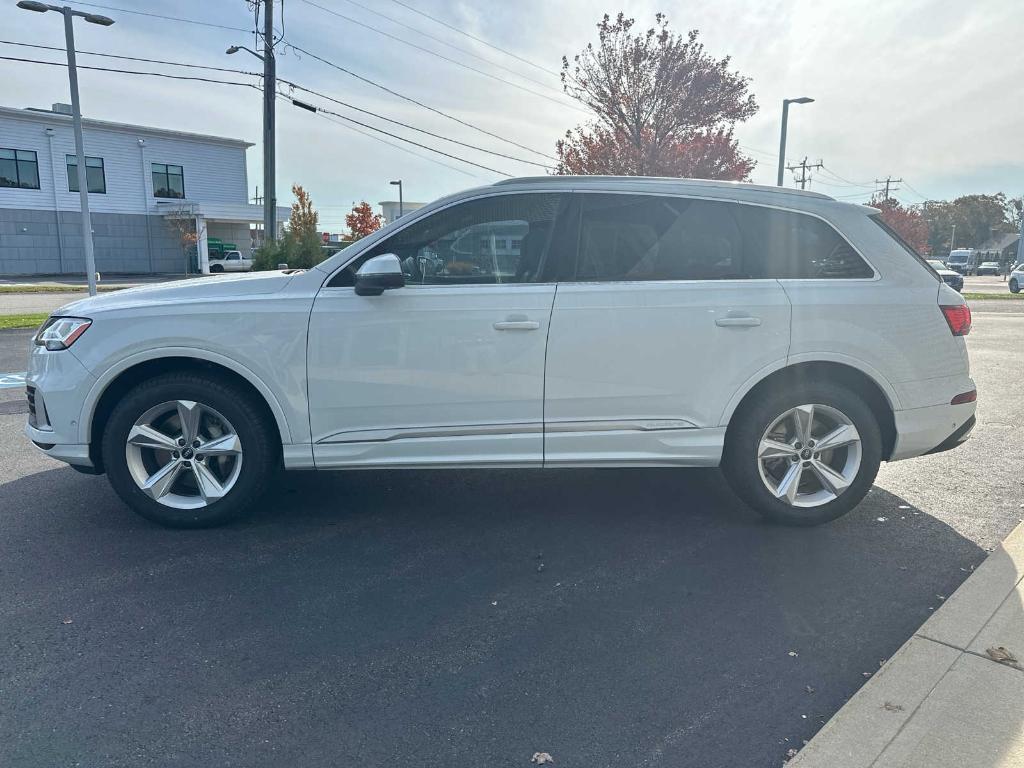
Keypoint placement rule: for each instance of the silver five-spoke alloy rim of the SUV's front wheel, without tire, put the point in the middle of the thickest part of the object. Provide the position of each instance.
(184, 455)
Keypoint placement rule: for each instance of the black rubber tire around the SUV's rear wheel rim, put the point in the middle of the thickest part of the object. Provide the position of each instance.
(741, 464)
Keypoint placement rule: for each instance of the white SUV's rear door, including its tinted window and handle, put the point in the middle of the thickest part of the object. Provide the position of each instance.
(667, 315)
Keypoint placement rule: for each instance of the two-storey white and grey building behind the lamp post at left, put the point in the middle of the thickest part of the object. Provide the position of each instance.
(147, 186)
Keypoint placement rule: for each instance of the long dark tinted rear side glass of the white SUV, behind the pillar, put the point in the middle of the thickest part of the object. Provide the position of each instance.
(651, 238)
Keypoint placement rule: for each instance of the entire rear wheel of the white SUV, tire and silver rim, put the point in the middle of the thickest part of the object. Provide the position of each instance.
(804, 456)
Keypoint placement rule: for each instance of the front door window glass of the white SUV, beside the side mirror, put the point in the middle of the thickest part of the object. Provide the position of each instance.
(468, 243)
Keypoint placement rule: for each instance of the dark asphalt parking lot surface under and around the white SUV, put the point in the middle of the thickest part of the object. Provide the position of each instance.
(613, 618)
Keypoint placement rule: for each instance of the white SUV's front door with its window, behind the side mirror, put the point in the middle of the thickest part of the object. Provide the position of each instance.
(449, 369)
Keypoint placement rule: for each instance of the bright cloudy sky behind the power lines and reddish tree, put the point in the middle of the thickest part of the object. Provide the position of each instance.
(927, 91)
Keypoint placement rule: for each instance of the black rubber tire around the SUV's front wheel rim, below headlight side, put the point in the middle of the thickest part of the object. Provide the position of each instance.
(258, 435)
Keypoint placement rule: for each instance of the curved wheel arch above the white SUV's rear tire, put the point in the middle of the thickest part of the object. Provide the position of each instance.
(877, 393)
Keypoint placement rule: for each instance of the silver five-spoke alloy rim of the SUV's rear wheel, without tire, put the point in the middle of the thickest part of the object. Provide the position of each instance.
(809, 456)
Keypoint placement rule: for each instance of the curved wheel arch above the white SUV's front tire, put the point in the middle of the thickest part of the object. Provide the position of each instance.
(118, 380)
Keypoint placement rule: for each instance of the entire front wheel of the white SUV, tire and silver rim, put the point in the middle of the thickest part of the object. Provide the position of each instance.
(189, 450)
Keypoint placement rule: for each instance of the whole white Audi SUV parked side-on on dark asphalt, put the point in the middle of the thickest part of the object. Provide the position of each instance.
(560, 322)
